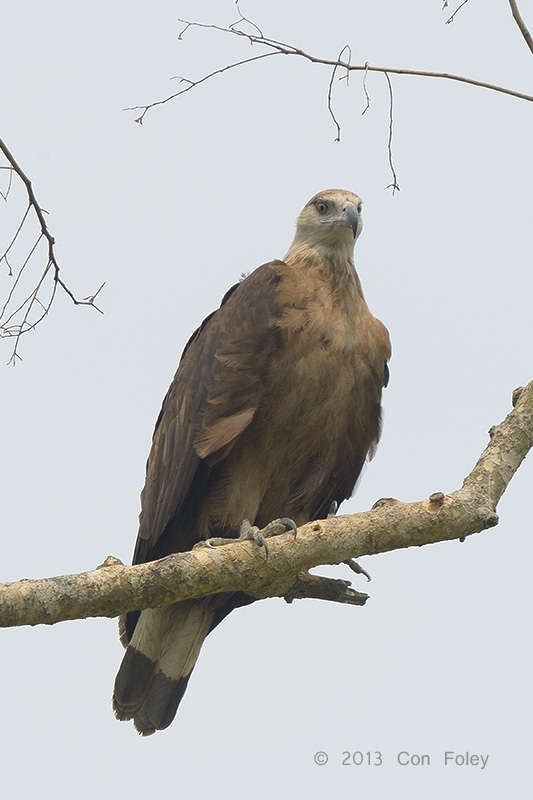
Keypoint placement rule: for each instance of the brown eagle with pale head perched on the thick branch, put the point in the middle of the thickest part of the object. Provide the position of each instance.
(274, 408)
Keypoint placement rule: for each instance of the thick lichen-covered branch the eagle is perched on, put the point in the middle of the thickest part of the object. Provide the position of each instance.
(113, 588)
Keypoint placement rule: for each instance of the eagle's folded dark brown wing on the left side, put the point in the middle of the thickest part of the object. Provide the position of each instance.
(214, 395)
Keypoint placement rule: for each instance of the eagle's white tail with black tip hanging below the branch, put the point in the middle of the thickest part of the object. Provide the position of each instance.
(157, 665)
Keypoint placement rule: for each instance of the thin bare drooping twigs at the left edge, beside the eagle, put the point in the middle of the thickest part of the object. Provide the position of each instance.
(14, 322)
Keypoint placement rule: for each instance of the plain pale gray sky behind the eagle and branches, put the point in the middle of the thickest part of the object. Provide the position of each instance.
(169, 214)
